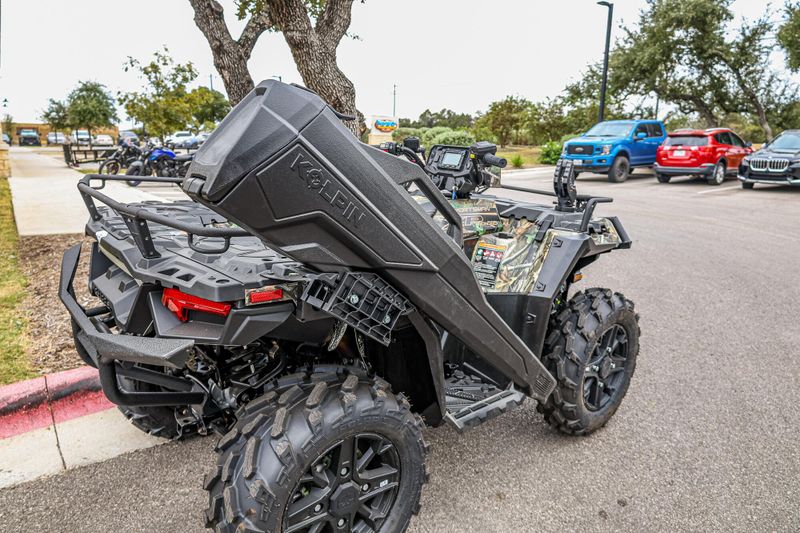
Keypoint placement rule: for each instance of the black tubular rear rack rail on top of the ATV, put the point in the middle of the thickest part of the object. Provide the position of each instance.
(136, 218)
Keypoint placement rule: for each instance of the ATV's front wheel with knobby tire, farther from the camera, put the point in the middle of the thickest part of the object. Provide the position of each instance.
(591, 350)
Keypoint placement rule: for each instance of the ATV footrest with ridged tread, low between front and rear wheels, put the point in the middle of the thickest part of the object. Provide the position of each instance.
(471, 402)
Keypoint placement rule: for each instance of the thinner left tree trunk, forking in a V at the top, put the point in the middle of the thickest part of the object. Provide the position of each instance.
(230, 56)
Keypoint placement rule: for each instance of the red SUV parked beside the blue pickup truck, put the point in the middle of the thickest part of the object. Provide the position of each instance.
(713, 154)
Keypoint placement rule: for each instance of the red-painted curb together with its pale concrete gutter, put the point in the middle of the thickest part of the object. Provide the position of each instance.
(61, 421)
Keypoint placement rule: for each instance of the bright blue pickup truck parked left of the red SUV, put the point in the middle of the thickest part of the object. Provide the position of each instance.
(615, 147)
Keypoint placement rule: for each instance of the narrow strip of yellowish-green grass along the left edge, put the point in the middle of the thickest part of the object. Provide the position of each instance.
(14, 364)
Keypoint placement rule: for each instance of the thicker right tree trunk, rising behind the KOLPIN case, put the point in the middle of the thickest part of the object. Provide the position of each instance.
(314, 52)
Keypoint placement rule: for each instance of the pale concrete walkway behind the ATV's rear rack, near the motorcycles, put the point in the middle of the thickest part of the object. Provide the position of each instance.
(45, 195)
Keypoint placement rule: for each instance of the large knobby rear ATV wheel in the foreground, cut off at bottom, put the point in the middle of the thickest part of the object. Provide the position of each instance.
(284, 466)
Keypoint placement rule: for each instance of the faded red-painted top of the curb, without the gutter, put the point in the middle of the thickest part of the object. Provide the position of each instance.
(34, 392)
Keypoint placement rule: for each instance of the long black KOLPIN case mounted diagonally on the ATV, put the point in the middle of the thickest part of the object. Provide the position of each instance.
(283, 166)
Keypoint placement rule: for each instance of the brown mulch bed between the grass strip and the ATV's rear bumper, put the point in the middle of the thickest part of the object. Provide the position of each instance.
(50, 347)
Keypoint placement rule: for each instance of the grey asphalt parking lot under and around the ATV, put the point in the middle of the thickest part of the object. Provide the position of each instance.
(706, 440)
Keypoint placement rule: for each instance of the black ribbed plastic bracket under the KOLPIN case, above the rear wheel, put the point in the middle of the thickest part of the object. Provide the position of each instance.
(361, 300)
